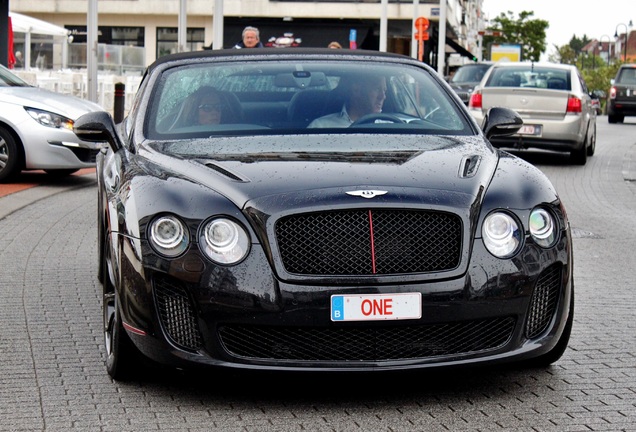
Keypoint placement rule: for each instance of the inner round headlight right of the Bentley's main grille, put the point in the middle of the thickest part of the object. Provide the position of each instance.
(501, 234)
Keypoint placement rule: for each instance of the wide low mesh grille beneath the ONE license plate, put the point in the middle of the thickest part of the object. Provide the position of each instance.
(365, 343)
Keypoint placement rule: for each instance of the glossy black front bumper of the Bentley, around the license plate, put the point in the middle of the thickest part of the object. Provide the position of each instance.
(193, 313)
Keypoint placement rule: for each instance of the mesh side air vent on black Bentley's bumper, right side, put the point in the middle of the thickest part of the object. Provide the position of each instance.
(544, 301)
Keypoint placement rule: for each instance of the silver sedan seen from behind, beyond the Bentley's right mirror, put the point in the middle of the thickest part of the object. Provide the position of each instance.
(553, 101)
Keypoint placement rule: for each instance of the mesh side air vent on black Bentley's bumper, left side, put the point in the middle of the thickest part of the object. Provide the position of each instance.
(177, 314)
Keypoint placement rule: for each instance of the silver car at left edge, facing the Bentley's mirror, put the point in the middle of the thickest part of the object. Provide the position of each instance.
(36, 129)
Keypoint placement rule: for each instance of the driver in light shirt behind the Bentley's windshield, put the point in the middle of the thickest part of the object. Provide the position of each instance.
(365, 96)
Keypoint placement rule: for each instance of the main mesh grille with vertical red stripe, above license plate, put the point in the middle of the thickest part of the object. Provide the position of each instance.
(369, 242)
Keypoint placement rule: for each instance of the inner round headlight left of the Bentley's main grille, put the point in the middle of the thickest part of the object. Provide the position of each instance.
(224, 241)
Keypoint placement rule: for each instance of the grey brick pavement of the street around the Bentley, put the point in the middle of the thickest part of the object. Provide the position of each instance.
(51, 350)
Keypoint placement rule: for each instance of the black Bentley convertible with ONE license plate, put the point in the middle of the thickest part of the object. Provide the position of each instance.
(236, 230)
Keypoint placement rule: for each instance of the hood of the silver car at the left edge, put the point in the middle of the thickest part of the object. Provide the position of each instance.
(68, 106)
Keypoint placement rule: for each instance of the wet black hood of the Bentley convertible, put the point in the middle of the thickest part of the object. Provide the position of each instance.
(425, 169)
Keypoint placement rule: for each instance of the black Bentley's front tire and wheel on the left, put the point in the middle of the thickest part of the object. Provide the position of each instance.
(121, 354)
